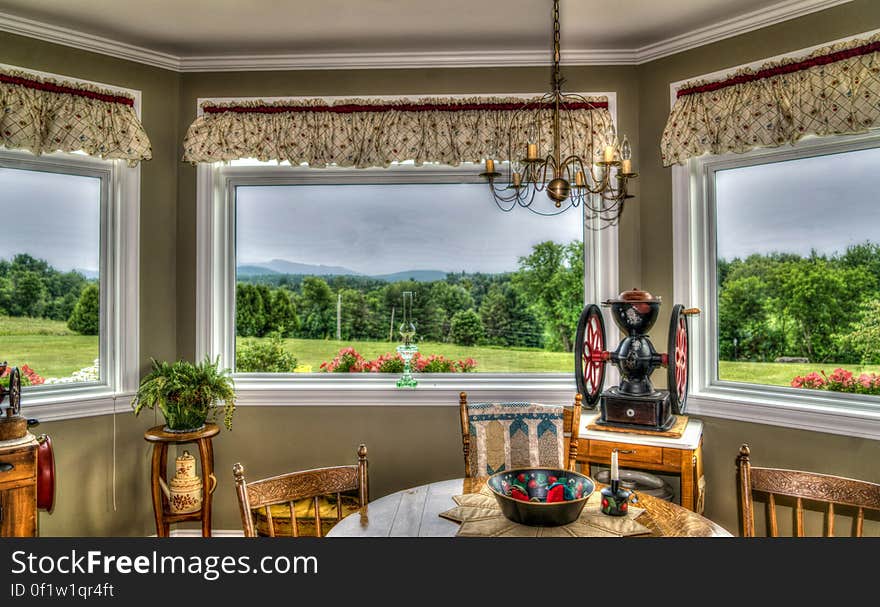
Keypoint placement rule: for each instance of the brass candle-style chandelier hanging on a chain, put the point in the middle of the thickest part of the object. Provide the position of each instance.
(570, 177)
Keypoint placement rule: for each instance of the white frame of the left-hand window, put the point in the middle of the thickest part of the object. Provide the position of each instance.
(119, 280)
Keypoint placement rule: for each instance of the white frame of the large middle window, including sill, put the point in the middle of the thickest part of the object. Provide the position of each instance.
(215, 293)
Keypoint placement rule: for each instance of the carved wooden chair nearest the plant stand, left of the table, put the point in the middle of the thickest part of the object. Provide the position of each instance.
(262, 499)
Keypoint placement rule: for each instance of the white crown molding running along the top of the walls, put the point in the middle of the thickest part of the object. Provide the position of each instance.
(776, 13)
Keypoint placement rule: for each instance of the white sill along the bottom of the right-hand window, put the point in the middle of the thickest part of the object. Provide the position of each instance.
(814, 412)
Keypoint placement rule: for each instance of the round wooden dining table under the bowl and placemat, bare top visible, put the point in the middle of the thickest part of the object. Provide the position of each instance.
(415, 513)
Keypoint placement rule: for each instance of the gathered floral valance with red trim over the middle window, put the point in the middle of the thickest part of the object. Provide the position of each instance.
(375, 133)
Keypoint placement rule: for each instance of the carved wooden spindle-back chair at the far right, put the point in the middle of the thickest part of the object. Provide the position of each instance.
(833, 490)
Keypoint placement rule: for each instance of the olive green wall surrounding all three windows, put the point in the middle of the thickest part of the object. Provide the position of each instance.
(408, 445)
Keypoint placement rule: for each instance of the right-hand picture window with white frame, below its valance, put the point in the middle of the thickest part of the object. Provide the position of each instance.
(780, 250)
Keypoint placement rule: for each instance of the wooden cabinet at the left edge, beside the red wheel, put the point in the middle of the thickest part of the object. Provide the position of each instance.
(18, 490)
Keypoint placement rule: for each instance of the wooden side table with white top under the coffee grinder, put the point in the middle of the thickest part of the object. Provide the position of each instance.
(678, 456)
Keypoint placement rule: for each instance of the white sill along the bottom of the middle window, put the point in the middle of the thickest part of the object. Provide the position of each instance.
(316, 389)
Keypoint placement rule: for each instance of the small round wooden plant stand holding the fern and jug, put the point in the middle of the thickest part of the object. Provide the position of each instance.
(161, 508)
